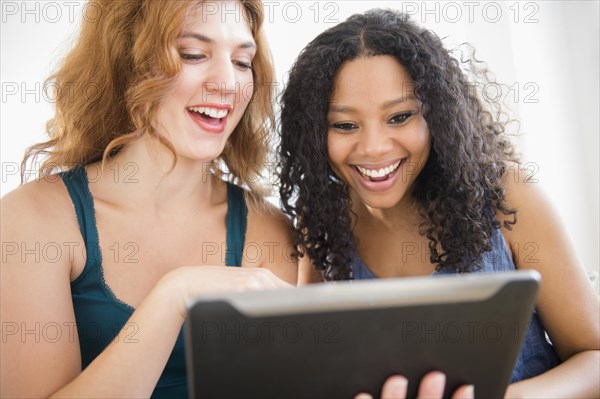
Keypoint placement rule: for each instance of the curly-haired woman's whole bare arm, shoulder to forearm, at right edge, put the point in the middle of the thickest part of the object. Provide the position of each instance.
(567, 303)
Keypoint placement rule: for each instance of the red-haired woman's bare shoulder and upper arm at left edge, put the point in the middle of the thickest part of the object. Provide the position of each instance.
(35, 294)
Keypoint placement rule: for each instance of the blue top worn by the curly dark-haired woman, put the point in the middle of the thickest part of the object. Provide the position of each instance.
(537, 353)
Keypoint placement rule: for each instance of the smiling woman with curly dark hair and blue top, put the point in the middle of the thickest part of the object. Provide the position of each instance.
(391, 160)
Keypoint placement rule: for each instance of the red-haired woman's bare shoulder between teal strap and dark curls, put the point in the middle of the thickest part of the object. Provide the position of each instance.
(269, 240)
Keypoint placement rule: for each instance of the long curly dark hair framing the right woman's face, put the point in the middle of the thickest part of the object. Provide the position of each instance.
(460, 188)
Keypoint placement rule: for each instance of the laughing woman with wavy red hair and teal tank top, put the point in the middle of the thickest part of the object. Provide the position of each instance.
(181, 113)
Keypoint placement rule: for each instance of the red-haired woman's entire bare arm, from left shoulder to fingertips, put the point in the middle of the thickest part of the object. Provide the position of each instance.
(35, 295)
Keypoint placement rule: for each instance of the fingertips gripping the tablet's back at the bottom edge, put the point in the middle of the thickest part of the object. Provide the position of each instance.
(431, 386)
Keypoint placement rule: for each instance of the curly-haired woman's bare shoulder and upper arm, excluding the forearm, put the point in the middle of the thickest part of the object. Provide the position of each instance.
(538, 240)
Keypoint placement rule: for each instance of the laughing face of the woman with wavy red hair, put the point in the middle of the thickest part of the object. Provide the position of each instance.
(214, 86)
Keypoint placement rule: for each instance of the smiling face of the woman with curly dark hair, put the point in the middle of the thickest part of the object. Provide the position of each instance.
(378, 141)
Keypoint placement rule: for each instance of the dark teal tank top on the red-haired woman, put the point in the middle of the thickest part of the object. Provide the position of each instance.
(100, 315)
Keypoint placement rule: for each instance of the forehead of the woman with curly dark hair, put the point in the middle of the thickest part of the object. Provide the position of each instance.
(380, 76)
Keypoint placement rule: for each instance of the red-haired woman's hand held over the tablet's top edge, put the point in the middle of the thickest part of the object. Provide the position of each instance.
(188, 282)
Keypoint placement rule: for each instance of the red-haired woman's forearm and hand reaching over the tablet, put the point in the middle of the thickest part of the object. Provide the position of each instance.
(133, 369)
